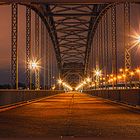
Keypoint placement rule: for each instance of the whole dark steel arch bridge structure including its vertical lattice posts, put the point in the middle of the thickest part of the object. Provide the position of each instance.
(71, 26)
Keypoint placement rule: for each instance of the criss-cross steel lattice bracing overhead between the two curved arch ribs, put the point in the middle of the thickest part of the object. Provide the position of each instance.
(72, 24)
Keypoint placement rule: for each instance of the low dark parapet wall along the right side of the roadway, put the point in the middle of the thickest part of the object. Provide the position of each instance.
(127, 96)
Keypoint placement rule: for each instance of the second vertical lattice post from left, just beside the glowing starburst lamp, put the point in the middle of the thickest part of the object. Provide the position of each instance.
(28, 46)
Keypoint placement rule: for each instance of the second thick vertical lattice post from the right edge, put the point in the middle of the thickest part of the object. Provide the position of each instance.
(114, 42)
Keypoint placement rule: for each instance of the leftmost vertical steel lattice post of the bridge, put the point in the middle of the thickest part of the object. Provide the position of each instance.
(14, 50)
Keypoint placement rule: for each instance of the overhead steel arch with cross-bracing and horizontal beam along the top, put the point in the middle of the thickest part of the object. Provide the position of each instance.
(71, 26)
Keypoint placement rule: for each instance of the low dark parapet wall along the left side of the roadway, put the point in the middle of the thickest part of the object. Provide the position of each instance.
(8, 97)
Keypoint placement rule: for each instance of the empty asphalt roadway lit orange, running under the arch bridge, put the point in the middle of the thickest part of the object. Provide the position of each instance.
(70, 114)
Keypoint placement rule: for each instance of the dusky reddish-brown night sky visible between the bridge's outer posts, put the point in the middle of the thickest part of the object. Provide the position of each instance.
(5, 40)
